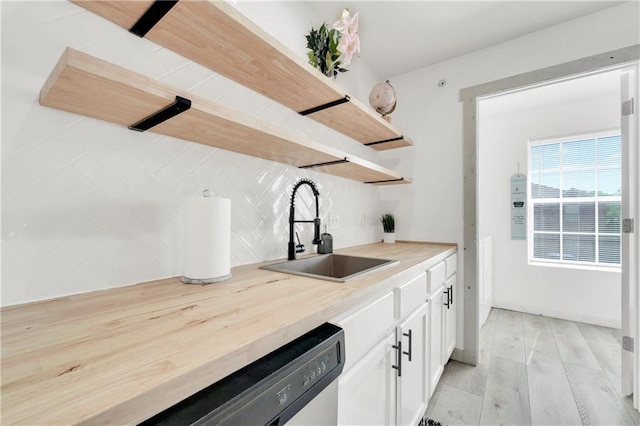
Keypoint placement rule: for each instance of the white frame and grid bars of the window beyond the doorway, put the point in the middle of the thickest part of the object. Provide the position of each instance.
(562, 200)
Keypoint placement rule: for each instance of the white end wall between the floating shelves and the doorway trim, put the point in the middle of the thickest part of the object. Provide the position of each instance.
(432, 208)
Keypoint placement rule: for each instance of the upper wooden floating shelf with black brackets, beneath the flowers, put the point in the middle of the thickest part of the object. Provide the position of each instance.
(217, 36)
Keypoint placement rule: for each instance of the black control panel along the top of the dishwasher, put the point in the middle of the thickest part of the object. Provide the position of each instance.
(269, 391)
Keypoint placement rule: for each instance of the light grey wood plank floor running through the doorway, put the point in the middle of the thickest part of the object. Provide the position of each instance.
(539, 371)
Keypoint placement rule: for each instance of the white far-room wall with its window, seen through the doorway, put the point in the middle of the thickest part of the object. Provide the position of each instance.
(551, 252)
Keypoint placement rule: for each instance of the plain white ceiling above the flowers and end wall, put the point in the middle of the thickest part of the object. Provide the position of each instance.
(401, 36)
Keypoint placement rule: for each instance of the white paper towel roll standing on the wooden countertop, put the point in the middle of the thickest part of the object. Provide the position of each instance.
(207, 240)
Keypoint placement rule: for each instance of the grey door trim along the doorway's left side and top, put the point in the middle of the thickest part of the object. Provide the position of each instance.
(469, 97)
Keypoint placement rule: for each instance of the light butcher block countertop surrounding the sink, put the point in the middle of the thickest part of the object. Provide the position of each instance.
(121, 355)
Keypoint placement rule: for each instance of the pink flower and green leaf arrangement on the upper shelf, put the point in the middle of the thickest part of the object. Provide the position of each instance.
(331, 50)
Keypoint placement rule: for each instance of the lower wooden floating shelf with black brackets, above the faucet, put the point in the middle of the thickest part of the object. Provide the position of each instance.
(89, 86)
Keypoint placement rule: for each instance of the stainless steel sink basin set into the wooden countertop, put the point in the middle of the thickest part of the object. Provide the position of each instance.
(331, 267)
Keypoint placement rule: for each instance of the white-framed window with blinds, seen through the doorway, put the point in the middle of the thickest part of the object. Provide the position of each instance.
(575, 199)
